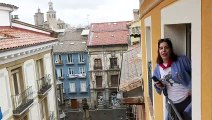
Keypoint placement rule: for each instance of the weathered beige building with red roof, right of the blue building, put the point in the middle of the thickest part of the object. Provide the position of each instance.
(106, 44)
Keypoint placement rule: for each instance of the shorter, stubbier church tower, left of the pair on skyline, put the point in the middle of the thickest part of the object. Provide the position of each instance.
(39, 18)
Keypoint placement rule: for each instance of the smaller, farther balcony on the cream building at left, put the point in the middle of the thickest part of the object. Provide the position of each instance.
(44, 85)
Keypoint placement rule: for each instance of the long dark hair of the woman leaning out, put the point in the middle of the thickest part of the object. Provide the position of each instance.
(172, 54)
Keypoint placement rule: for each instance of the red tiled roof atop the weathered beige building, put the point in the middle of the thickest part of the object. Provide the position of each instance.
(109, 33)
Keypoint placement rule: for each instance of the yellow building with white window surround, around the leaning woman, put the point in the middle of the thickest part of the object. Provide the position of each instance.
(188, 24)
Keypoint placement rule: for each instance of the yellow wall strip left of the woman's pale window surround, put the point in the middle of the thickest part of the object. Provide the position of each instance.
(156, 35)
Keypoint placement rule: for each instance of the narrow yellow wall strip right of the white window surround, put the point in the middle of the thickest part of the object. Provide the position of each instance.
(206, 60)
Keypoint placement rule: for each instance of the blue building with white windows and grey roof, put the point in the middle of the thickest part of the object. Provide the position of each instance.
(72, 66)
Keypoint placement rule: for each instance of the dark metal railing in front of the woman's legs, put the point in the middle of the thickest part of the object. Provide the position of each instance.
(173, 114)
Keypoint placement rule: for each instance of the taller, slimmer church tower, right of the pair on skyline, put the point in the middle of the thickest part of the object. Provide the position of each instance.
(51, 17)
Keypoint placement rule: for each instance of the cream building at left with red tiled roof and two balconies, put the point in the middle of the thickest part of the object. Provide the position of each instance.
(28, 85)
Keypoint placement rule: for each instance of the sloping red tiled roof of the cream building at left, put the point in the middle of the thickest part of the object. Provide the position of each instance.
(12, 38)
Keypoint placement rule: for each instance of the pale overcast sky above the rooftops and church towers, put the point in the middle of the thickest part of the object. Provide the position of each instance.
(76, 12)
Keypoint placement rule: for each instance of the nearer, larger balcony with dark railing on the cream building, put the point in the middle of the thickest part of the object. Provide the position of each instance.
(22, 101)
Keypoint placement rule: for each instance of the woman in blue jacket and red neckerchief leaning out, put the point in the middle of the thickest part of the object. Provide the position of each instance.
(174, 75)
